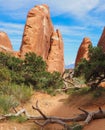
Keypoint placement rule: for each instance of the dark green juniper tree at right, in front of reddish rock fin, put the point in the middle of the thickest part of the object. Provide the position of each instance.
(93, 69)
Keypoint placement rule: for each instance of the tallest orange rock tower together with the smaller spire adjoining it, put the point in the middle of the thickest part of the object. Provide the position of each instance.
(39, 37)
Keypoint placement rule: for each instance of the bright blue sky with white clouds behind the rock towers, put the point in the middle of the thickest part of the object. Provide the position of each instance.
(76, 19)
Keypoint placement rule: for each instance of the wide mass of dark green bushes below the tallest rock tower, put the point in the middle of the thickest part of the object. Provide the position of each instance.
(30, 71)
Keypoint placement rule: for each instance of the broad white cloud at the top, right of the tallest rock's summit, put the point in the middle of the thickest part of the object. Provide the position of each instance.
(78, 8)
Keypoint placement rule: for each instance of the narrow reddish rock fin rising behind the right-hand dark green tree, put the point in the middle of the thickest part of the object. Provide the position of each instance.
(83, 50)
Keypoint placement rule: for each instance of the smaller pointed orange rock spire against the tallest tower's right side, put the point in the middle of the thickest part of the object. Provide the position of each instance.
(56, 55)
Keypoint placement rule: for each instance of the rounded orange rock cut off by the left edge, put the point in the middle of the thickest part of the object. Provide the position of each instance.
(5, 43)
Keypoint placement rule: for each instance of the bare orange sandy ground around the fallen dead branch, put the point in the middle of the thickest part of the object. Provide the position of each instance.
(58, 105)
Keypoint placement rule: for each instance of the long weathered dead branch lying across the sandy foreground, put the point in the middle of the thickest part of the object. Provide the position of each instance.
(86, 117)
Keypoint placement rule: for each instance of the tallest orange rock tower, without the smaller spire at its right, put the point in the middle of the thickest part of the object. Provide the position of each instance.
(37, 32)
